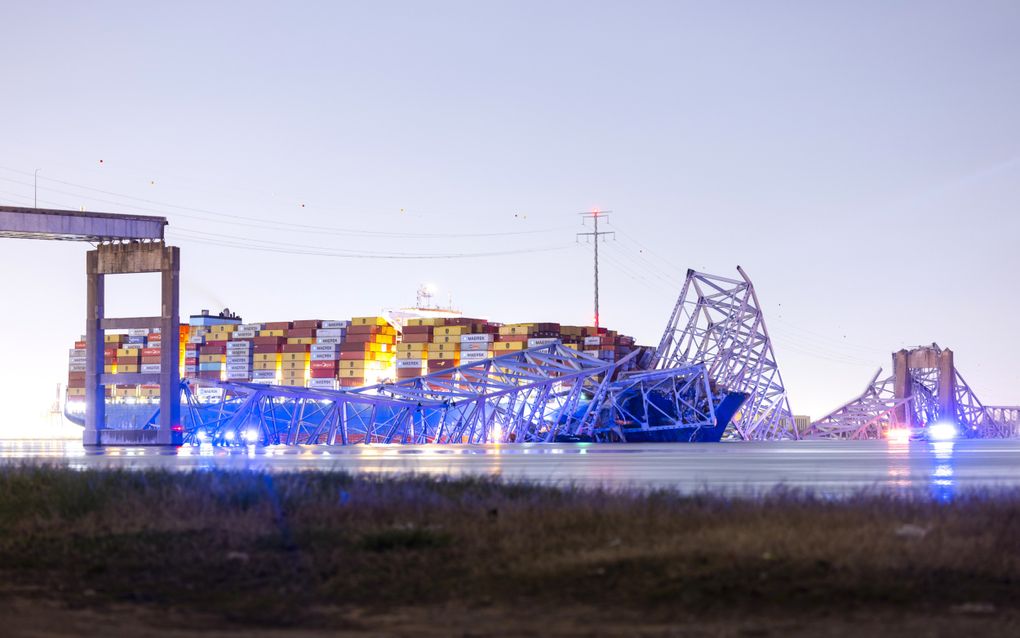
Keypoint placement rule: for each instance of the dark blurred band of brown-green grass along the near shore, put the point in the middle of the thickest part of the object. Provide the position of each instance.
(307, 551)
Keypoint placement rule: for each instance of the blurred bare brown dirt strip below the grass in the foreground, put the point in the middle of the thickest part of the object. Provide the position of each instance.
(27, 618)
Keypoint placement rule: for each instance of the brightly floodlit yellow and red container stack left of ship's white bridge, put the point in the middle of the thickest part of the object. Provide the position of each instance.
(367, 355)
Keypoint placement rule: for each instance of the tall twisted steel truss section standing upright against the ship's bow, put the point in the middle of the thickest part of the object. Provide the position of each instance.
(719, 322)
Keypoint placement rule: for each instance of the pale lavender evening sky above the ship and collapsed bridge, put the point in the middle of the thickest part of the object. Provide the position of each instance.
(861, 161)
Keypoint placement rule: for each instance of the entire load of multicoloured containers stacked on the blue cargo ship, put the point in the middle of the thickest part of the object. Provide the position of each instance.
(329, 355)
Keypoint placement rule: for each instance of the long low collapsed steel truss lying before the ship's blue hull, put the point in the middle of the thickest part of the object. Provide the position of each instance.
(532, 396)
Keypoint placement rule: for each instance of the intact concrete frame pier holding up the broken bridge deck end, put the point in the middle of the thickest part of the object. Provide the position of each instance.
(126, 259)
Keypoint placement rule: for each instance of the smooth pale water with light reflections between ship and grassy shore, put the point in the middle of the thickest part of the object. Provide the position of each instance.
(941, 470)
